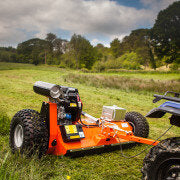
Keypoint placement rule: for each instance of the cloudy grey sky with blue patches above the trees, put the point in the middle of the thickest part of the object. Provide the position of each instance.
(99, 21)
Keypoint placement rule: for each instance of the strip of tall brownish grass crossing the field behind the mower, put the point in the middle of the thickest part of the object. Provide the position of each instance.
(125, 83)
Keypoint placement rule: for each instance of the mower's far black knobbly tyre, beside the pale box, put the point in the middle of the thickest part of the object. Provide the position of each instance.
(139, 124)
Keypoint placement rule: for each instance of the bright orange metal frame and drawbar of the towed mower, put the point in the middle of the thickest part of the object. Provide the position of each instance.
(94, 136)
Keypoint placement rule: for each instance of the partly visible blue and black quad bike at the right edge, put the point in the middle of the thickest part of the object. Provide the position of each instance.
(163, 160)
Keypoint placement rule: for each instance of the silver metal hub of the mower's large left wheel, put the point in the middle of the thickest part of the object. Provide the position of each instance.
(18, 136)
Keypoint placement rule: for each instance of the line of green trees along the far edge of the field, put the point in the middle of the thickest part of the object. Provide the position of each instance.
(142, 48)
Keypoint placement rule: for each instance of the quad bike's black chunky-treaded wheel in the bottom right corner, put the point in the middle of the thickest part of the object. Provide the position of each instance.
(163, 161)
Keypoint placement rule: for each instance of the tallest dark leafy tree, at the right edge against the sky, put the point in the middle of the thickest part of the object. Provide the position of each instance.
(165, 34)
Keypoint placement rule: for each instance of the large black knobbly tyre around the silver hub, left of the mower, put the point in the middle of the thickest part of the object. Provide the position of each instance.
(35, 133)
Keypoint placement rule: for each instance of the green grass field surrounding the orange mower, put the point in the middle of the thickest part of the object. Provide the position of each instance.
(96, 90)
